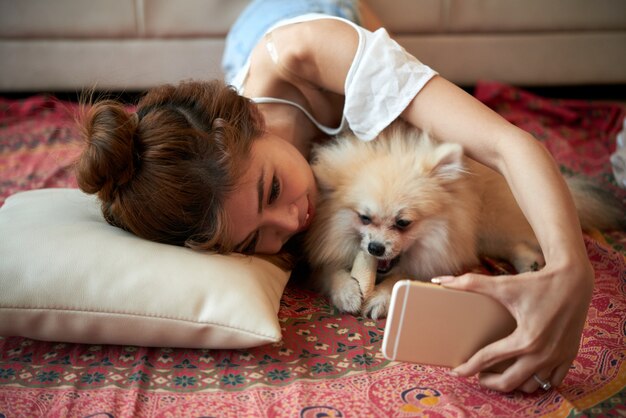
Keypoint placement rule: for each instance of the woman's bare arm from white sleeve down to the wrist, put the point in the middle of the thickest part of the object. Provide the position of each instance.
(450, 114)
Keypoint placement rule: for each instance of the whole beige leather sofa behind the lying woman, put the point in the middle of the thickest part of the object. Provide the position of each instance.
(61, 45)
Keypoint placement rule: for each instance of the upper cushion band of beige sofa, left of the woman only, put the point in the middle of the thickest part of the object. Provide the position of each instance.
(117, 18)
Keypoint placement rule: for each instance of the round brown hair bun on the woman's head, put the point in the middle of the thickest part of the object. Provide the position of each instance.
(108, 161)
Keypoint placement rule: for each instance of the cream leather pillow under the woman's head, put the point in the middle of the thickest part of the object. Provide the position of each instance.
(67, 275)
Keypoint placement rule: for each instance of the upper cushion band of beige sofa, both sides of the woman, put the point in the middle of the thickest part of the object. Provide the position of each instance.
(213, 18)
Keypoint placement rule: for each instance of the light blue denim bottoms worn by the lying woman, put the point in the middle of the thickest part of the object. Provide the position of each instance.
(260, 15)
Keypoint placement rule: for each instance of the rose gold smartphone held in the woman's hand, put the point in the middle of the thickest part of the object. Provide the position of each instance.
(432, 325)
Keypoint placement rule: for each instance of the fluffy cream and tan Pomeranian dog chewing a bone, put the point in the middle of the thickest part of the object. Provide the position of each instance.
(423, 210)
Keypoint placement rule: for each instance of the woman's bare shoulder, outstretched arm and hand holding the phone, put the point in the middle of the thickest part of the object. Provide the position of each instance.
(550, 305)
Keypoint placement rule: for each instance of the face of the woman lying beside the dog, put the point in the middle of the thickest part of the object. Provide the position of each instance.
(274, 200)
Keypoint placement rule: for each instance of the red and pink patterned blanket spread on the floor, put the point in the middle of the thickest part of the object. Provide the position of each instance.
(328, 364)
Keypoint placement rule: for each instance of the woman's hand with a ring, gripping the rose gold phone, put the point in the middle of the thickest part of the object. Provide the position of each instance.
(550, 307)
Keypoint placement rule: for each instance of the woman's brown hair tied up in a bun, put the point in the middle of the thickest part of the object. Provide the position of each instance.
(163, 172)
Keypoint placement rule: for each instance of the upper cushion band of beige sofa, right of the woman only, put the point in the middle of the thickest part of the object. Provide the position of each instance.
(458, 16)
